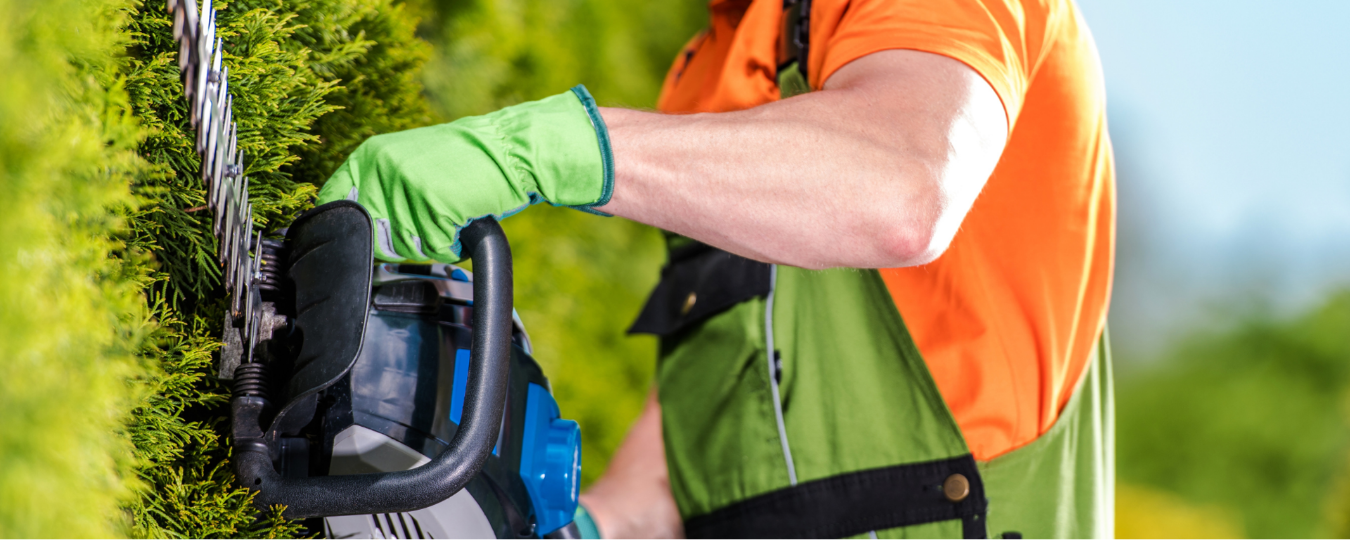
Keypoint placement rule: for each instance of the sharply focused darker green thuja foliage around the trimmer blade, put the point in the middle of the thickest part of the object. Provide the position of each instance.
(311, 80)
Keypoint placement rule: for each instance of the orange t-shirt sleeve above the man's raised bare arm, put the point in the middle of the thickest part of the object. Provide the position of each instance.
(997, 38)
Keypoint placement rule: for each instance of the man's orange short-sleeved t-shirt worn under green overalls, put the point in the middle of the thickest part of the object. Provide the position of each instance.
(1009, 317)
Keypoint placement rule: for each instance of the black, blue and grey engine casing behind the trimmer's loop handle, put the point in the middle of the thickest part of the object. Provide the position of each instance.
(400, 406)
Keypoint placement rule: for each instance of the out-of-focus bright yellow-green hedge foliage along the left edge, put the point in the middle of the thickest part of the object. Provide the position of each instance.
(70, 310)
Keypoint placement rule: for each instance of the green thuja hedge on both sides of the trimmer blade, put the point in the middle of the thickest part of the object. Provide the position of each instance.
(110, 308)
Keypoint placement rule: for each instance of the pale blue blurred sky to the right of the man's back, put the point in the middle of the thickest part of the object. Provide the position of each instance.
(1232, 122)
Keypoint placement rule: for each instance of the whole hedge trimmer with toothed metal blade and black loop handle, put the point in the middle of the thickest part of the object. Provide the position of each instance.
(391, 402)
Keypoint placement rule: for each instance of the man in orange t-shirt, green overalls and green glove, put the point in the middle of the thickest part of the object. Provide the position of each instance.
(959, 146)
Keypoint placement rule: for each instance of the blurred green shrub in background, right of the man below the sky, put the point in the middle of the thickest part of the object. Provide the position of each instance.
(1252, 422)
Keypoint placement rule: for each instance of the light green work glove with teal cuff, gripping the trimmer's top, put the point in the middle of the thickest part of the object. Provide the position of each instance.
(423, 186)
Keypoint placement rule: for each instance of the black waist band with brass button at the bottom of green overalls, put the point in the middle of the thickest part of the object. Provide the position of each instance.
(853, 504)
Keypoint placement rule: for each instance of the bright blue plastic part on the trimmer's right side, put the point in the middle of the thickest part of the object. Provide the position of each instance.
(551, 461)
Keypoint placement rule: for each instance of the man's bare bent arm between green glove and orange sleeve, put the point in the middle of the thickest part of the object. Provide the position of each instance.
(875, 171)
